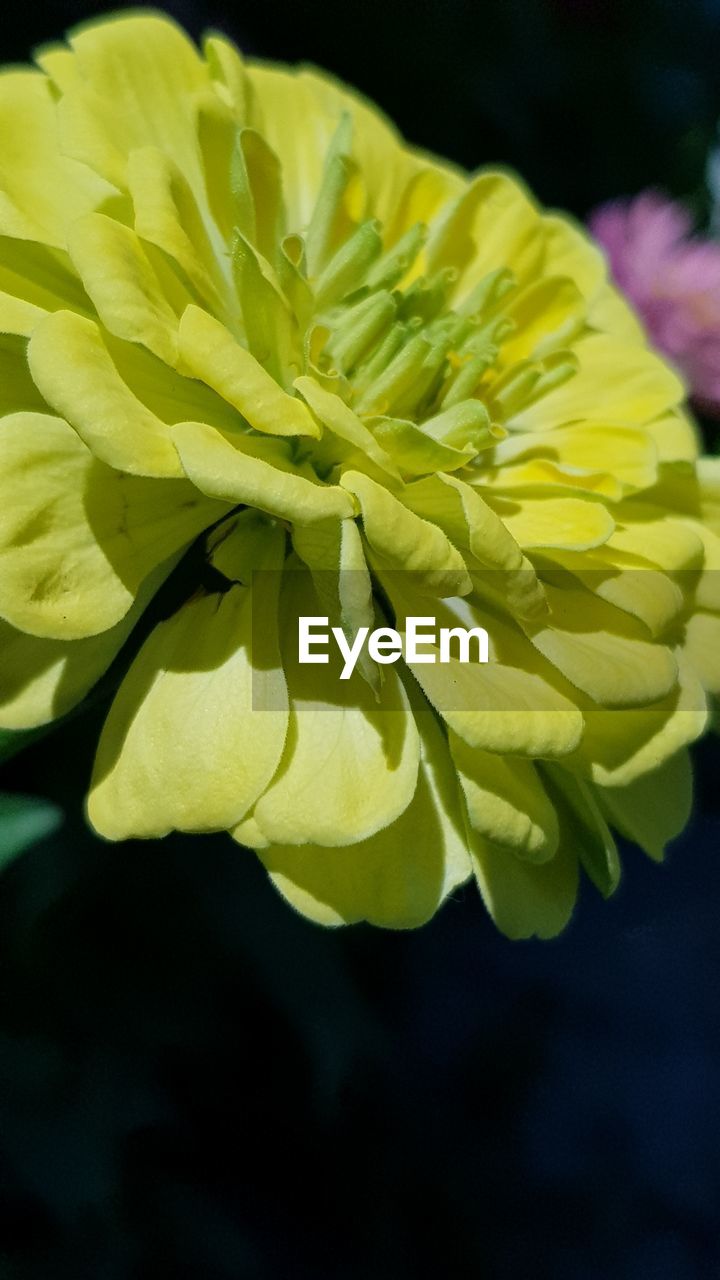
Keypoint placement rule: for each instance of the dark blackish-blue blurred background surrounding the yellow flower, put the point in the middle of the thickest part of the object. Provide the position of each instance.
(197, 1085)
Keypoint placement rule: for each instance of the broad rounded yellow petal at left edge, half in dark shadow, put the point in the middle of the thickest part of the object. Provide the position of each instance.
(78, 540)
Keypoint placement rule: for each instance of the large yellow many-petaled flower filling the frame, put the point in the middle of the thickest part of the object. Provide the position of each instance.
(241, 317)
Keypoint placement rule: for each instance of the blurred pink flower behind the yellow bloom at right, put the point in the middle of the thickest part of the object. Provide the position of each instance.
(675, 281)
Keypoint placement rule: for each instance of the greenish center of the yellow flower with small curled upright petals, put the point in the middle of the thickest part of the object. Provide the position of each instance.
(391, 328)
